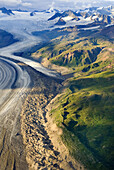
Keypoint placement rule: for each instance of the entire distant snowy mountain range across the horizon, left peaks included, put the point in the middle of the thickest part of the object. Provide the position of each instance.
(93, 16)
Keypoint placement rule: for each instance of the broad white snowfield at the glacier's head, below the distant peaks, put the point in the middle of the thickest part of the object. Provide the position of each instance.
(22, 24)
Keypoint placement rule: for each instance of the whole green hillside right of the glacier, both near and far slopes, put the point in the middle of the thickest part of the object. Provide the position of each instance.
(84, 109)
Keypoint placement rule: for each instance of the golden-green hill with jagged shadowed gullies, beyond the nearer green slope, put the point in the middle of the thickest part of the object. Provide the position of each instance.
(76, 52)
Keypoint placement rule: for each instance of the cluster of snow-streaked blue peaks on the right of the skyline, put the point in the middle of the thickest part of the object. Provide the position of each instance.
(104, 15)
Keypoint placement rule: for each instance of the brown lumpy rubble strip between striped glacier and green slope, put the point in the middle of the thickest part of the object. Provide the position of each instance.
(42, 152)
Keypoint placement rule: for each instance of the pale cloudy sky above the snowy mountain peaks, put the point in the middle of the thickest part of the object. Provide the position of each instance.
(61, 4)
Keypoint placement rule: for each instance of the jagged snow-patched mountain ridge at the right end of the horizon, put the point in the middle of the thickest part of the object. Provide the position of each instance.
(93, 14)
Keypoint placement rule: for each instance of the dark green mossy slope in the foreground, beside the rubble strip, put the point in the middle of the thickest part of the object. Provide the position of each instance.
(85, 112)
